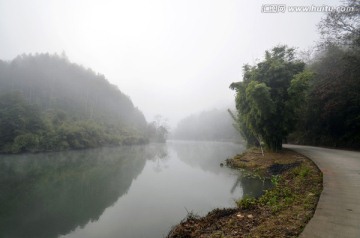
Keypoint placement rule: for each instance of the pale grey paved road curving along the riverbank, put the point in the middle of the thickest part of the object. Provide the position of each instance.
(338, 211)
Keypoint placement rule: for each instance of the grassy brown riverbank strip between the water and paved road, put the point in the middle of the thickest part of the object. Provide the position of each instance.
(282, 211)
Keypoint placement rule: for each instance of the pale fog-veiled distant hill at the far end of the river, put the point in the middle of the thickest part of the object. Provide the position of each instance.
(213, 125)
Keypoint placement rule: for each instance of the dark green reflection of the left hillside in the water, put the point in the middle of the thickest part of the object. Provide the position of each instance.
(46, 195)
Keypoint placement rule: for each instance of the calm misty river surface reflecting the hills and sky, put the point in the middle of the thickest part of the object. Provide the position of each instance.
(126, 192)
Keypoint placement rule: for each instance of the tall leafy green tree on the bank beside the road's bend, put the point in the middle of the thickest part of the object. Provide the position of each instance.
(266, 99)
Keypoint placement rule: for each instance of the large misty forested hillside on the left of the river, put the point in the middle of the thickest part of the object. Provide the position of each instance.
(48, 103)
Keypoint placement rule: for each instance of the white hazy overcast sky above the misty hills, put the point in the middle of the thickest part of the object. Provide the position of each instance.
(173, 58)
